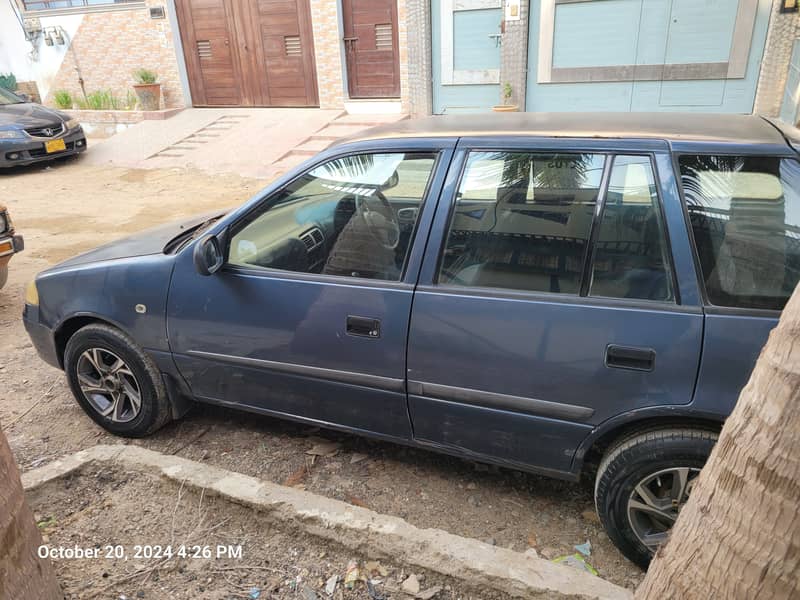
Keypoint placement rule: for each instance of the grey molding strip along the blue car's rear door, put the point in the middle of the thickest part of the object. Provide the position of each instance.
(501, 401)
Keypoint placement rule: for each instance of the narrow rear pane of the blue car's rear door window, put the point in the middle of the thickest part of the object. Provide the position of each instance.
(631, 259)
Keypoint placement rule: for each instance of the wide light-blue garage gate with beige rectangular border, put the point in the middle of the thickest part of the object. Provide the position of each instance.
(645, 55)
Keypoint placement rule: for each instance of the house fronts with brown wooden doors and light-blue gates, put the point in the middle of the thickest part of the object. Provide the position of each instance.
(419, 56)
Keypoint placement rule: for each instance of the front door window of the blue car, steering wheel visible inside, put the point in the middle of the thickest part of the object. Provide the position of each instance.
(352, 216)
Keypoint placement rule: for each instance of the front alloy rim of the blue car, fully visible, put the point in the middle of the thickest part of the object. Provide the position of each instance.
(109, 385)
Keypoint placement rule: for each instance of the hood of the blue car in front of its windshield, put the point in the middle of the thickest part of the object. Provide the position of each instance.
(150, 241)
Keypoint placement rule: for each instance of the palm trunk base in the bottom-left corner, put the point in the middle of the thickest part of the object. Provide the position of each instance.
(23, 575)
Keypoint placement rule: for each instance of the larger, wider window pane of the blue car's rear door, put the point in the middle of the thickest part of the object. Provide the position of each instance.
(522, 221)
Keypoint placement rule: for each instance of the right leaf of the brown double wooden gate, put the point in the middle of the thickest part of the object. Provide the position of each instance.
(283, 61)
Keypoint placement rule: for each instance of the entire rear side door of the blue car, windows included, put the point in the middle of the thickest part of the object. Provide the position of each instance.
(552, 302)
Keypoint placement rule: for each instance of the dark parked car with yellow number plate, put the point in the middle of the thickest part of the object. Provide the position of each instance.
(30, 132)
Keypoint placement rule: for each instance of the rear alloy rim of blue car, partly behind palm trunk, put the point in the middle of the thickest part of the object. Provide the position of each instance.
(655, 502)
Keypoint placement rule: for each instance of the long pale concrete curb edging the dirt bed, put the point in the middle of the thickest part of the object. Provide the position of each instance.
(357, 528)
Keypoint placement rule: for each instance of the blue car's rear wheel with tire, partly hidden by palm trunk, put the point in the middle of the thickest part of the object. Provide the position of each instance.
(642, 472)
